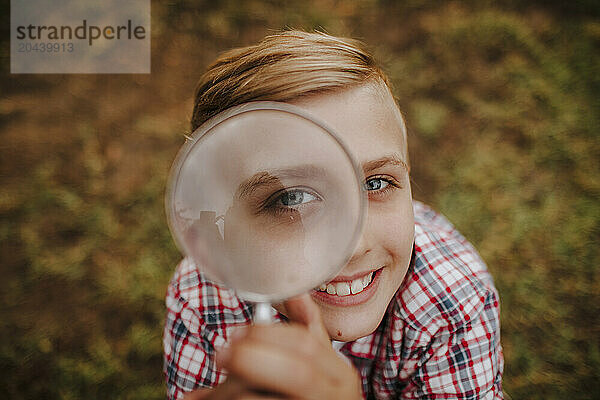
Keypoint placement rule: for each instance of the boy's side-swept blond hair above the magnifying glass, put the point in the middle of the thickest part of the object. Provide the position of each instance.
(283, 67)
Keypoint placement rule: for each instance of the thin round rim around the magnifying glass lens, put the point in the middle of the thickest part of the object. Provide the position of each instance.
(202, 130)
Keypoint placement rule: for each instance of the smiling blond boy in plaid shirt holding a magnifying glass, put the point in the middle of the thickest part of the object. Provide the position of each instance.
(424, 323)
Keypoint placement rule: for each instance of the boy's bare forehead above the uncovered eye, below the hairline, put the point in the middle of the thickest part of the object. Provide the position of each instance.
(366, 119)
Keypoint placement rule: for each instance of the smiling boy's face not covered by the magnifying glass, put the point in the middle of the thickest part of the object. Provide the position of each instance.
(367, 120)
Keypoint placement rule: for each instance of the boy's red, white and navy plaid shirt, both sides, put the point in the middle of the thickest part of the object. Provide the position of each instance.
(439, 339)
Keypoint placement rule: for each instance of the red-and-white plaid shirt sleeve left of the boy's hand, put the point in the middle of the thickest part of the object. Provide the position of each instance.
(201, 315)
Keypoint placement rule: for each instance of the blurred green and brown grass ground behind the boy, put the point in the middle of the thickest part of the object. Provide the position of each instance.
(501, 100)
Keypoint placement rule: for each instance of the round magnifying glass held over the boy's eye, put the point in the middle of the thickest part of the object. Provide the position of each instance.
(266, 200)
